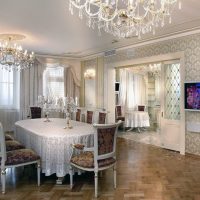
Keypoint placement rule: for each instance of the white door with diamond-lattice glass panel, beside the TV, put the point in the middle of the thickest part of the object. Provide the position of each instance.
(171, 98)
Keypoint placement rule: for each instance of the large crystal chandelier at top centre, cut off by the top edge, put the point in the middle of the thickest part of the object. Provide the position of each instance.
(125, 18)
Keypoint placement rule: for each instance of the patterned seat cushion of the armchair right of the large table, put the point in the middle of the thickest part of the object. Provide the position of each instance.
(86, 159)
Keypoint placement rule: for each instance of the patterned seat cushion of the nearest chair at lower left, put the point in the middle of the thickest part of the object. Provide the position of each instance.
(21, 156)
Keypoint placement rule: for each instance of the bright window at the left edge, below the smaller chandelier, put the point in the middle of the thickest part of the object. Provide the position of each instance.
(9, 89)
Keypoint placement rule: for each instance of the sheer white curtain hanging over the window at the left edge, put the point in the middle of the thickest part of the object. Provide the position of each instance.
(9, 98)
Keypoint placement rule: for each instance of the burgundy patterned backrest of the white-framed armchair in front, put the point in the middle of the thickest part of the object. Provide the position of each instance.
(105, 141)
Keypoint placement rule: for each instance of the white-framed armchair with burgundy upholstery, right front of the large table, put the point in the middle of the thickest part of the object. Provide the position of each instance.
(99, 157)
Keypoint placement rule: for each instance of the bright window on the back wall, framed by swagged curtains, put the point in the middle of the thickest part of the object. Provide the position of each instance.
(53, 81)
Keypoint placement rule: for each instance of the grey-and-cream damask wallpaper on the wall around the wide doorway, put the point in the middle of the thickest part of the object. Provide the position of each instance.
(191, 47)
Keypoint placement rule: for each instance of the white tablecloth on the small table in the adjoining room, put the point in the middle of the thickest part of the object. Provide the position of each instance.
(137, 119)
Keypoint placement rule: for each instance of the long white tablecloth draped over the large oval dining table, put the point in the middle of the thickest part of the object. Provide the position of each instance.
(52, 142)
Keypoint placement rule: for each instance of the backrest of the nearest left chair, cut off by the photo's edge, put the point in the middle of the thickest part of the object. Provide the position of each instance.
(3, 146)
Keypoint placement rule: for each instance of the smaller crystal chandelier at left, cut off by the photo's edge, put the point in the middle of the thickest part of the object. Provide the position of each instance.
(12, 57)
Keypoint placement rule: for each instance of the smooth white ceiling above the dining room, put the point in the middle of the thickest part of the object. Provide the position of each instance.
(51, 30)
